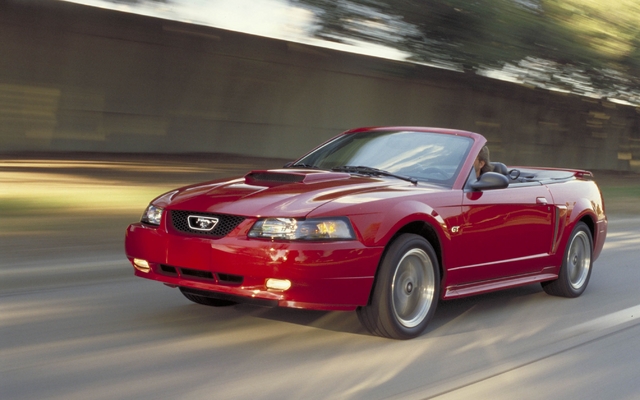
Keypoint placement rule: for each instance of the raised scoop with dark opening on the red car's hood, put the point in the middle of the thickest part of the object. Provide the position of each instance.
(287, 176)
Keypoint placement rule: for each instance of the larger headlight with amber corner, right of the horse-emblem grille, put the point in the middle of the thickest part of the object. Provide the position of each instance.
(303, 229)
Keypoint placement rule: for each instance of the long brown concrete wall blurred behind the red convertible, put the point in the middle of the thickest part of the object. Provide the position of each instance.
(74, 78)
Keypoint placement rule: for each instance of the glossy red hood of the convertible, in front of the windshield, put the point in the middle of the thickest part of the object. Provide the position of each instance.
(280, 192)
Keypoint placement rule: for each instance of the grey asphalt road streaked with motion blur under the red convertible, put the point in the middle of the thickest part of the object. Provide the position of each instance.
(76, 324)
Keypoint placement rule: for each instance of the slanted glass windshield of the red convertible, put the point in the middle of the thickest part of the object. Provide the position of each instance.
(425, 156)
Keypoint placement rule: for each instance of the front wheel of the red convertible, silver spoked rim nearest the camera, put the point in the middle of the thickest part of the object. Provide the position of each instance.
(406, 290)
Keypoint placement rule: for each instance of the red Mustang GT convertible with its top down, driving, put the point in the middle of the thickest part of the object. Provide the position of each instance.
(385, 221)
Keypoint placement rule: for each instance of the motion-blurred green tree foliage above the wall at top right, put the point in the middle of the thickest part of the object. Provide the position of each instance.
(581, 46)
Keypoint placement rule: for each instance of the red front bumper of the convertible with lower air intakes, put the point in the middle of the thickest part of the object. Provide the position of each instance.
(323, 275)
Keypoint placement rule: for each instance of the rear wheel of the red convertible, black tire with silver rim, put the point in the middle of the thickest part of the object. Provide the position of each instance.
(575, 271)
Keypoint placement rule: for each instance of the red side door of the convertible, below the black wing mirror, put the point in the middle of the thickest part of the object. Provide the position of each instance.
(503, 232)
